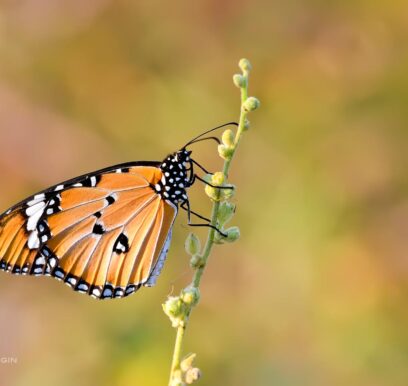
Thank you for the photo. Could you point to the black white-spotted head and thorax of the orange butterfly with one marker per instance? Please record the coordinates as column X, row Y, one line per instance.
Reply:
column 176, row 177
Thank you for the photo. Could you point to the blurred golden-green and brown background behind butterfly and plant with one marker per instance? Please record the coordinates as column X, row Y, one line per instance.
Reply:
column 315, row 292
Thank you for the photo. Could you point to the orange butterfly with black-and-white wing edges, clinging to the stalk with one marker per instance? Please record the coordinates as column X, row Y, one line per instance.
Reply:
column 105, row 233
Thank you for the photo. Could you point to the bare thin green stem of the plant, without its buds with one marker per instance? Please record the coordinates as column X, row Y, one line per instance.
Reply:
column 211, row 234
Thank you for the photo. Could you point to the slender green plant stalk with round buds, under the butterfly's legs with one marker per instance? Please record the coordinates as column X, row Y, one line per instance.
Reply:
column 179, row 308
